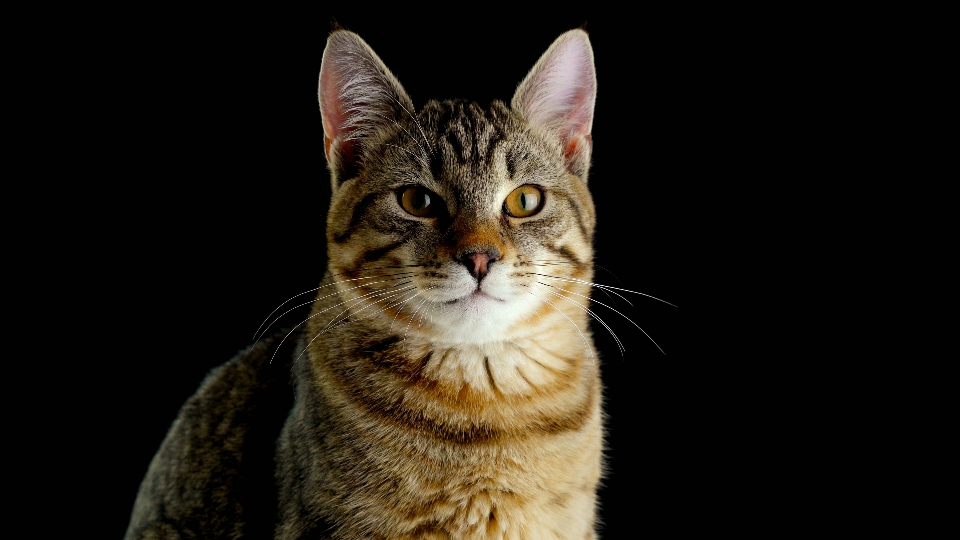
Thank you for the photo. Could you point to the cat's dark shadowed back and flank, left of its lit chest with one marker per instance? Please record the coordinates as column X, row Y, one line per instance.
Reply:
column 213, row 474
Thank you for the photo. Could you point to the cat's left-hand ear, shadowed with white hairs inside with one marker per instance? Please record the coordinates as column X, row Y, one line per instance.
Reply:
column 358, row 97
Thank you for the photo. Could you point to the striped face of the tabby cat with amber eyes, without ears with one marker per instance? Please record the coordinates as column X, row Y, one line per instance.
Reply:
column 464, row 217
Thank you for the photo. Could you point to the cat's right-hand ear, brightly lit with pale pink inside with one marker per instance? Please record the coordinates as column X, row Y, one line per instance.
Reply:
column 559, row 94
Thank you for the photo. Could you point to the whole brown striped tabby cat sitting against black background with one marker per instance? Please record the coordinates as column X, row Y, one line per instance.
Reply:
column 445, row 384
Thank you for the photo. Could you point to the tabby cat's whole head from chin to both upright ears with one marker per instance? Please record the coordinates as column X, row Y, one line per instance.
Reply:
column 462, row 222
